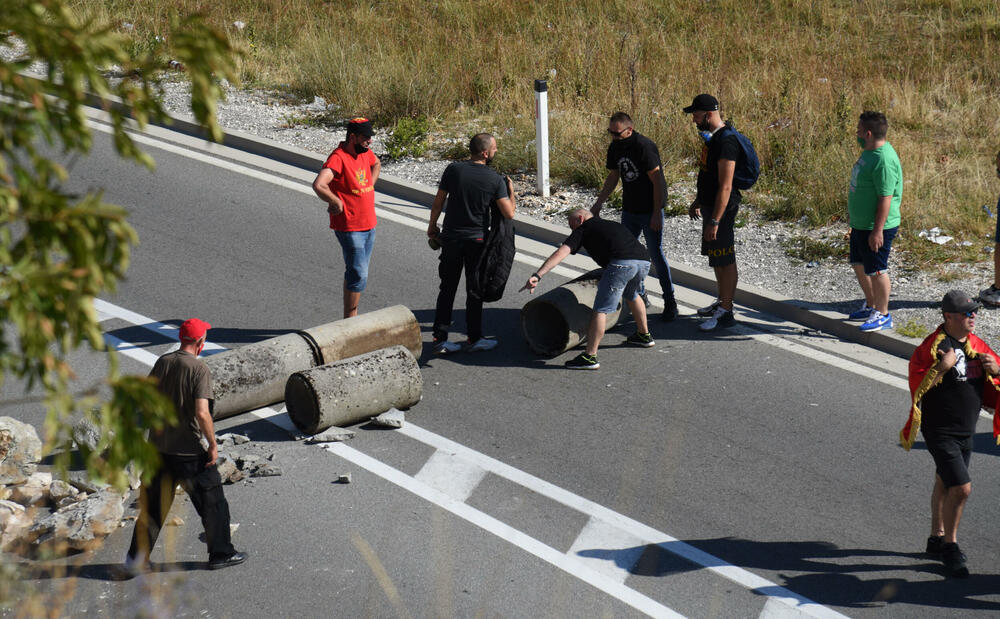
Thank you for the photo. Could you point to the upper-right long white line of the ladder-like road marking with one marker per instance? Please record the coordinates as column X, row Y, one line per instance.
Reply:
column 647, row 534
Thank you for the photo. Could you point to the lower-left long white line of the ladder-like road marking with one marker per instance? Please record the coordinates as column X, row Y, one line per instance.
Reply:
column 571, row 566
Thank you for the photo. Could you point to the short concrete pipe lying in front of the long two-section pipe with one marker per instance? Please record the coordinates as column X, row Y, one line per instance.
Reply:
column 353, row 390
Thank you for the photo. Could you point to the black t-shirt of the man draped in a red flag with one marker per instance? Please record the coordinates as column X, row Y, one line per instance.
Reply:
column 952, row 407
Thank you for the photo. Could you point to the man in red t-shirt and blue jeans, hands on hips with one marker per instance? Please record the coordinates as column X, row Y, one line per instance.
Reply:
column 347, row 185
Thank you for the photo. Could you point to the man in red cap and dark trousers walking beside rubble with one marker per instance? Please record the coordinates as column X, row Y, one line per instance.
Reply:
column 188, row 453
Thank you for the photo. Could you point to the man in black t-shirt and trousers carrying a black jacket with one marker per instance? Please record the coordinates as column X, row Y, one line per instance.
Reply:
column 470, row 187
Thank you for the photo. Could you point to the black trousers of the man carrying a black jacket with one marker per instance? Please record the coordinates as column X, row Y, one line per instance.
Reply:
column 457, row 255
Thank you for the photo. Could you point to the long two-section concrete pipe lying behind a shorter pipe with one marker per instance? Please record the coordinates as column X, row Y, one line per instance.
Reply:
column 254, row 376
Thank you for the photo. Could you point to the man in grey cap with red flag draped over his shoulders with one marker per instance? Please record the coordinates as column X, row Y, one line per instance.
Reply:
column 955, row 365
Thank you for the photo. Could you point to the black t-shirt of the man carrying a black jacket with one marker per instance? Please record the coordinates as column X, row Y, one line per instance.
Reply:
column 472, row 188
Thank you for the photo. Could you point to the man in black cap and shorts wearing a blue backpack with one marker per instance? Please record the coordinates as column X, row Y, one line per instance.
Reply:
column 717, row 202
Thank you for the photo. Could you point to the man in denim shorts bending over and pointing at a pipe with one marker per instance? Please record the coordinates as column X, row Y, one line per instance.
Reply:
column 626, row 264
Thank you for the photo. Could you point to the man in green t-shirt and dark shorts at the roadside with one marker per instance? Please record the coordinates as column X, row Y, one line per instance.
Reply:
column 873, row 213
